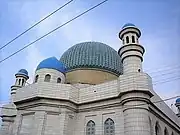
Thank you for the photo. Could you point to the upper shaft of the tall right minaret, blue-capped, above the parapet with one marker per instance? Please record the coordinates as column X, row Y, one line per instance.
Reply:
column 131, row 51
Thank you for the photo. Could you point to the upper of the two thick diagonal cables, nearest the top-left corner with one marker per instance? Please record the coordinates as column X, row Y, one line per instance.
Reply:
column 35, row 24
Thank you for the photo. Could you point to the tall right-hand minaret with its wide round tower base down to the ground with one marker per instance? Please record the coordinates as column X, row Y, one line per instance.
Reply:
column 137, row 85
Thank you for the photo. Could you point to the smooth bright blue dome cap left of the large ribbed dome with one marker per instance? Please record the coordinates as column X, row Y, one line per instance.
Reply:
column 52, row 63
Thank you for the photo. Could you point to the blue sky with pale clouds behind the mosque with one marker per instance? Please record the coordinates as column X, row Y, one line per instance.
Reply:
column 158, row 20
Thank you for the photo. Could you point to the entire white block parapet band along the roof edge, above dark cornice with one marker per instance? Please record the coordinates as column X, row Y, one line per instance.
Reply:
column 96, row 92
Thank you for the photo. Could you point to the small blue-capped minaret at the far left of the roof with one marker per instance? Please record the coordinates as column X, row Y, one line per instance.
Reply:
column 21, row 78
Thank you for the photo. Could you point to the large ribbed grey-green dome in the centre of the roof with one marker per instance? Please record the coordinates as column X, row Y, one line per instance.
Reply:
column 92, row 55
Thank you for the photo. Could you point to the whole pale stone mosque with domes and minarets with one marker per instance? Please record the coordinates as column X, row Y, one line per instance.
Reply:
column 92, row 90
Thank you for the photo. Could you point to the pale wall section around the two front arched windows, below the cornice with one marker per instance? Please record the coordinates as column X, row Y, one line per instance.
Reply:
column 99, row 117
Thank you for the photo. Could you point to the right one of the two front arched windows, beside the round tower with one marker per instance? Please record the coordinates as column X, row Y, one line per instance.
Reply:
column 109, row 128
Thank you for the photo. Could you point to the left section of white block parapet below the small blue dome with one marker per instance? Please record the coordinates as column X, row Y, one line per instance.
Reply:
column 49, row 90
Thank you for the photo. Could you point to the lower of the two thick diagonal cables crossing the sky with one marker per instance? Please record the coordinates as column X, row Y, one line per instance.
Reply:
column 53, row 30
